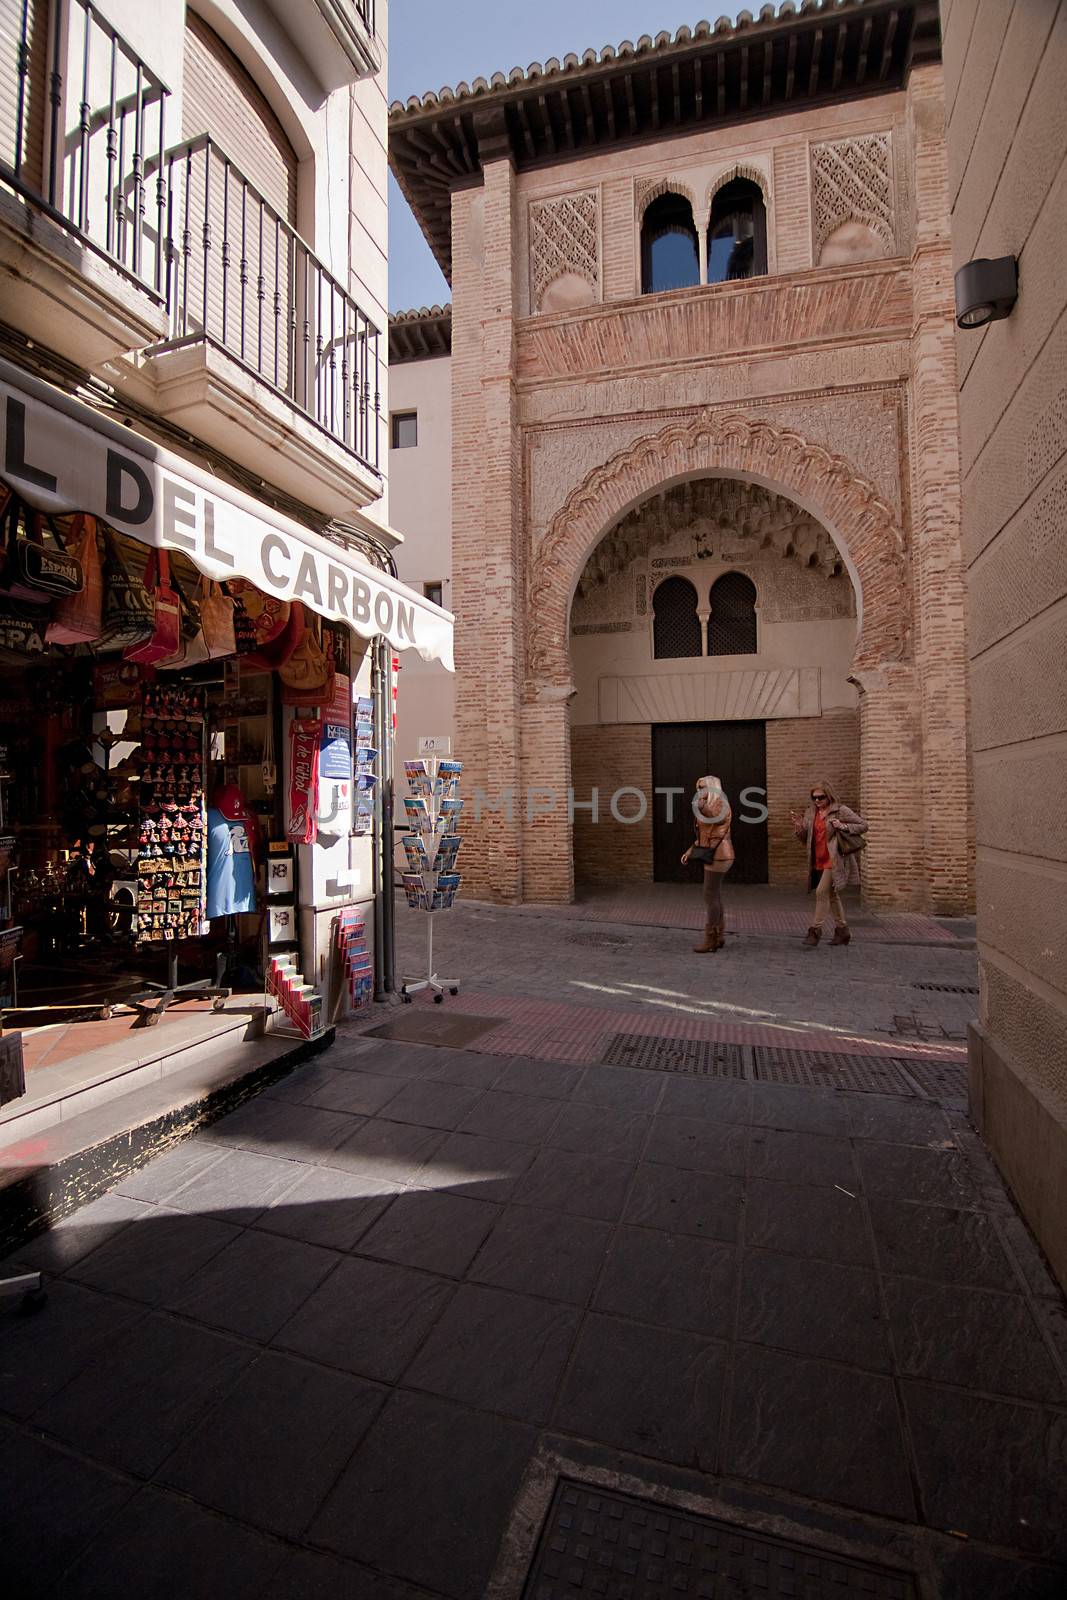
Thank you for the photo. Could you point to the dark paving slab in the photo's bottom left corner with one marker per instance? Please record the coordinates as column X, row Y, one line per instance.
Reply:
column 54, row 1508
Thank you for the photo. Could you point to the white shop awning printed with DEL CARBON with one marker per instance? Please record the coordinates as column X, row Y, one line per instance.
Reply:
column 63, row 455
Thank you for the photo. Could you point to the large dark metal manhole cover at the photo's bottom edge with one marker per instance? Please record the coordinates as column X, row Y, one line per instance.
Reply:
column 597, row 1543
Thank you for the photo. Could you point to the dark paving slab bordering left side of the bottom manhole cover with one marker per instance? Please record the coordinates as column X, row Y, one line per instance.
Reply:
column 428, row 1494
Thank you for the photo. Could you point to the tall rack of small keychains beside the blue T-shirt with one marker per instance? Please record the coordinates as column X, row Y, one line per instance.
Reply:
column 172, row 846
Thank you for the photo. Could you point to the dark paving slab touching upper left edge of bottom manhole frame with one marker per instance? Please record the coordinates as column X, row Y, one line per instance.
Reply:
column 652, row 1391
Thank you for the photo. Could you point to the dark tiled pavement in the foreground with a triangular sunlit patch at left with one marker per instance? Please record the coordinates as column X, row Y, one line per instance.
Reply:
column 321, row 1350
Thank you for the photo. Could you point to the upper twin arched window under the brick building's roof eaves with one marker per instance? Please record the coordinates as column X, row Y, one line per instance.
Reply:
column 674, row 257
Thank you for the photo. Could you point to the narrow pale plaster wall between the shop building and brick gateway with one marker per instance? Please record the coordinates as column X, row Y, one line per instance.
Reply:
column 422, row 479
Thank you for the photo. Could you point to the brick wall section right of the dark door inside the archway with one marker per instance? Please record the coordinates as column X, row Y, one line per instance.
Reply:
column 801, row 753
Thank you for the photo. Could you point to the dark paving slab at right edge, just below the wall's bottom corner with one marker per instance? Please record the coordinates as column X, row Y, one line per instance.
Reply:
column 973, row 1338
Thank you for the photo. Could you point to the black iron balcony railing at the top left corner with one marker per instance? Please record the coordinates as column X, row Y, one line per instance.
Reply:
column 82, row 150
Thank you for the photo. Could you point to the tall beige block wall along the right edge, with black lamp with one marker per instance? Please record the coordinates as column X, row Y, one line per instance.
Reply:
column 1007, row 143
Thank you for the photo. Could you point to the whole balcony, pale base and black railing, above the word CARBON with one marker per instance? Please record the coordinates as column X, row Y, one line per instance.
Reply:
column 266, row 356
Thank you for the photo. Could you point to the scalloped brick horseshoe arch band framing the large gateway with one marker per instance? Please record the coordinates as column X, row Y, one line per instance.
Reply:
column 729, row 444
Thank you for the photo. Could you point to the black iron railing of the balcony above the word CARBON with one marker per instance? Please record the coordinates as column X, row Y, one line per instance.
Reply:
column 241, row 278
